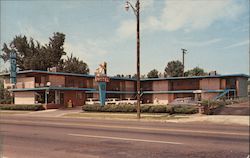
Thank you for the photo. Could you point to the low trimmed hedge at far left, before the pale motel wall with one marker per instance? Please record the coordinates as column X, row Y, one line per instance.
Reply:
column 22, row 107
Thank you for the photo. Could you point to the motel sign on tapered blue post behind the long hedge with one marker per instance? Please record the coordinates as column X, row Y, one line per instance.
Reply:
column 102, row 79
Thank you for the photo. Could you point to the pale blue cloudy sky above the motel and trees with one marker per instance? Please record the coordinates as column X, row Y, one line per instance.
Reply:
column 214, row 32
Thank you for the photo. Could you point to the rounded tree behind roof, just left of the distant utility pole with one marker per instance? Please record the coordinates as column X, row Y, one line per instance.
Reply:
column 174, row 69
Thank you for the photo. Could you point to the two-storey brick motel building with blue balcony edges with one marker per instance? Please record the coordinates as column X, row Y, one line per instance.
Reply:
column 57, row 89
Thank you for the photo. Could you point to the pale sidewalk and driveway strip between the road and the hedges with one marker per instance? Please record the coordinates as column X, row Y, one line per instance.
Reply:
column 77, row 113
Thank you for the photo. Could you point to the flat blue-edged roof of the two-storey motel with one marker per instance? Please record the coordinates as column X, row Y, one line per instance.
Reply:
column 126, row 78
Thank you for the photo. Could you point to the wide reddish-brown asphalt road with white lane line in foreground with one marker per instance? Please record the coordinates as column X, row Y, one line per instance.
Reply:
column 44, row 137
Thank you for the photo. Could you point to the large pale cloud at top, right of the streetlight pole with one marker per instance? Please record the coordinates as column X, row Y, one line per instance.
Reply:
column 191, row 14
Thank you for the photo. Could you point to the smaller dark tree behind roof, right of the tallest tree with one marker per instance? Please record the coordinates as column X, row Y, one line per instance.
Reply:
column 73, row 65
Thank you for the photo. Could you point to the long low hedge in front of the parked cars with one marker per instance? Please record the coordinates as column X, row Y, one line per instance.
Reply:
column 179, row 109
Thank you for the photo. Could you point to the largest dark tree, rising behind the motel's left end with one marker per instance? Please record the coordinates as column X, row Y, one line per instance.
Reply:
column 31, row 55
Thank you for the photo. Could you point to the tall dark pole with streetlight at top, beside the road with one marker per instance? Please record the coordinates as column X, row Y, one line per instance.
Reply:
column 136, row 10
